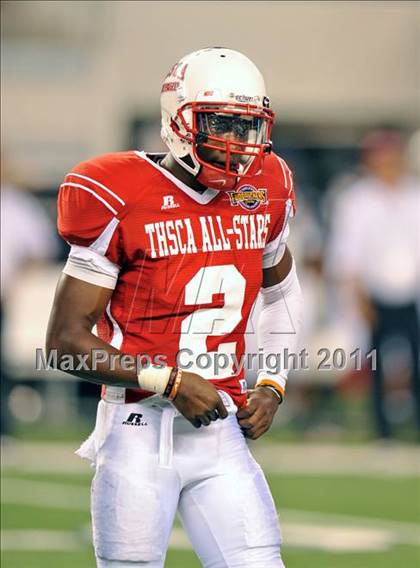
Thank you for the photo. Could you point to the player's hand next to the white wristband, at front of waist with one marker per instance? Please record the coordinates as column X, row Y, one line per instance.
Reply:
column 198, row 400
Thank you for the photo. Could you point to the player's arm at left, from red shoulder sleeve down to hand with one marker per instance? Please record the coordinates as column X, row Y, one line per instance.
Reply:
column 88, row 221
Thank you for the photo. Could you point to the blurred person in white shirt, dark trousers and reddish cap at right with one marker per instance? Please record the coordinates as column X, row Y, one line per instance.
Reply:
column 374, row 260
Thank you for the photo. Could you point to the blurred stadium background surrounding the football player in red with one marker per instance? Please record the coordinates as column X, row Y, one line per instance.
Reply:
column 83, row 78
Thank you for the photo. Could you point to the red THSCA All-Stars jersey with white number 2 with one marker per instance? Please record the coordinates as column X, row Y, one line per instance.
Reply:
column 188, row 264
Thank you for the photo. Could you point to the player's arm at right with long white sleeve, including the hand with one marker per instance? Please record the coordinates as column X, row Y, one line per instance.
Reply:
column 278, row 327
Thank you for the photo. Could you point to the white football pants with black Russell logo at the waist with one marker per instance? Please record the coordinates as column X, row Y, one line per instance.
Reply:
column 150, row 462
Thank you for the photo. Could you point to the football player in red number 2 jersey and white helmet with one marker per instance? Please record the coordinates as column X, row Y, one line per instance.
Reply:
column 168, row 254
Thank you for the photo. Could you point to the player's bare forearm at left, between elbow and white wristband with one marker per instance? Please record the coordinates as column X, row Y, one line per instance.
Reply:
column 94, row 360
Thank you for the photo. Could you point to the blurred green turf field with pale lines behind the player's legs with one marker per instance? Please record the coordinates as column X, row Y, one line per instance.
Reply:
column 329, row 521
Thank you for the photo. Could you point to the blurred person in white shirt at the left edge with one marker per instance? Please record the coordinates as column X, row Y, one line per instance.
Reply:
column 27, row 236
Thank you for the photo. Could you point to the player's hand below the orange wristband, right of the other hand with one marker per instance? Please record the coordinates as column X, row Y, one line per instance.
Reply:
column 256, row 417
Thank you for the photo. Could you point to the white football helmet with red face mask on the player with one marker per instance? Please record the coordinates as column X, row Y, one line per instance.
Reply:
column 216, row 119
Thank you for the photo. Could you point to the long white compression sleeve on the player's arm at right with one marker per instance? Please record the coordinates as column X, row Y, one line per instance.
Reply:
column 278, row 327
